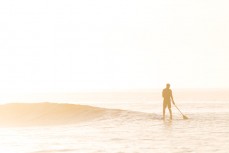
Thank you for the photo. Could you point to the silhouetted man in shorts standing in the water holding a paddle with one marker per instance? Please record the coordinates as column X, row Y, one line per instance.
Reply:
column 168, row 96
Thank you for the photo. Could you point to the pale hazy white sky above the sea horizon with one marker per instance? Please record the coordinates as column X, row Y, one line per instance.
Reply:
column 80, row 45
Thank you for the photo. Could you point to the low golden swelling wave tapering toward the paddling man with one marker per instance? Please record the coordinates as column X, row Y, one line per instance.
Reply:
column 36, row 114
